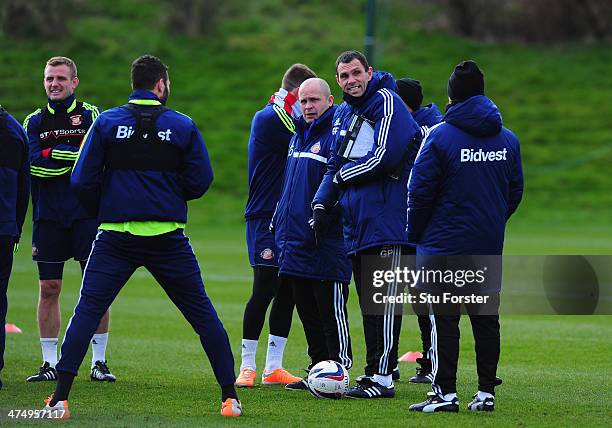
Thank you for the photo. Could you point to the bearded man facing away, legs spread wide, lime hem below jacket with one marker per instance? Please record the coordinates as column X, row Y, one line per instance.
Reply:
column 139, row 165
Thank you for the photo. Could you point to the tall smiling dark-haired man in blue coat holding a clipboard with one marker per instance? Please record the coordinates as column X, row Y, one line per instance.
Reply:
column 367, row 175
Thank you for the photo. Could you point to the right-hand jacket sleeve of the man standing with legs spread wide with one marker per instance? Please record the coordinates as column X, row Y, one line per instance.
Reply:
column 196, row 174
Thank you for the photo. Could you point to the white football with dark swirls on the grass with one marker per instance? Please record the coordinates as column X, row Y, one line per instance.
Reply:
column 328, row 379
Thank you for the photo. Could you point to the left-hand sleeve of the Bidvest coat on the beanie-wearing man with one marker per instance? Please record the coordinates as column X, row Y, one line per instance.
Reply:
column 423, row 186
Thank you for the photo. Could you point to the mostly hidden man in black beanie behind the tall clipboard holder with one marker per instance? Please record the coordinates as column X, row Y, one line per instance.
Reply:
column 411, row 92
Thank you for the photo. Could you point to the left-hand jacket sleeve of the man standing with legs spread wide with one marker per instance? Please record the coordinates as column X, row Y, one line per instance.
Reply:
column 87, row 175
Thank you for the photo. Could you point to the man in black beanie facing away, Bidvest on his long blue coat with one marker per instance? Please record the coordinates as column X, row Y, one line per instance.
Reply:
column 466, row 182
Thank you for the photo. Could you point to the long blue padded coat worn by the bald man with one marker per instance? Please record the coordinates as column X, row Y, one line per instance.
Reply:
column 306, row 166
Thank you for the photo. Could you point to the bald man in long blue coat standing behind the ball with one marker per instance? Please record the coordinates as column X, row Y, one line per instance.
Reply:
column 317, row 270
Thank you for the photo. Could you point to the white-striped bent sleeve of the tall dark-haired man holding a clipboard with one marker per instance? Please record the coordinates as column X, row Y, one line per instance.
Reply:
column 394, row 131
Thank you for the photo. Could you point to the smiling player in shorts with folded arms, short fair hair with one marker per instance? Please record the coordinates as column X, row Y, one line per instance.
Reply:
column 63, row 228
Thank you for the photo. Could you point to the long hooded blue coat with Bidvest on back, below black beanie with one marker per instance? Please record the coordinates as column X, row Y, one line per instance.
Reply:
column 466, row 182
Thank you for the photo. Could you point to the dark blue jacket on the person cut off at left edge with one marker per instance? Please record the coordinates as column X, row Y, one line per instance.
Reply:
column 14, row 175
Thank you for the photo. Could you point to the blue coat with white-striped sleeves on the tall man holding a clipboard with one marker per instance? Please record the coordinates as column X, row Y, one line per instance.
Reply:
column 373, row 203
